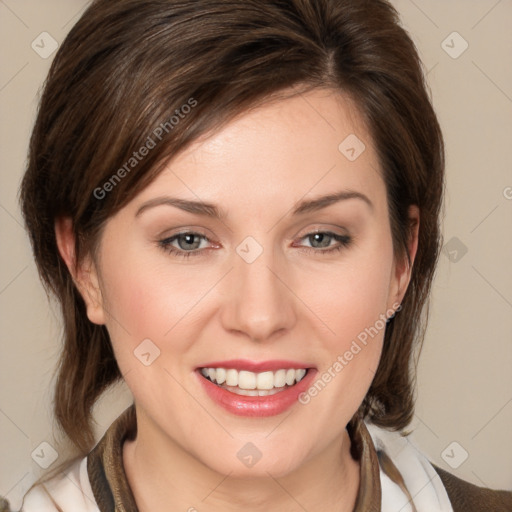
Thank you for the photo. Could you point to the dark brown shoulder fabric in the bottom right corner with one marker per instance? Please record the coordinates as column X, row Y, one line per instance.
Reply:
column 467, row 497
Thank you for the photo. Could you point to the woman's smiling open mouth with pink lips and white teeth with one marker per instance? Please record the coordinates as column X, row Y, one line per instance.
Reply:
column 247, row 388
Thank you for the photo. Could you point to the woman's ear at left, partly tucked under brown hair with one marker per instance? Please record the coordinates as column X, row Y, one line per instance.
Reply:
column 84, row 274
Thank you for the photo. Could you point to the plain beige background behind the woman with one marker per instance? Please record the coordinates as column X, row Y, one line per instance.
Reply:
column 465, row 377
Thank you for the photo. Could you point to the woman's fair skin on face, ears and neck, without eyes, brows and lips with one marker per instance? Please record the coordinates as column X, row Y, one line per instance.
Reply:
column 287, row 304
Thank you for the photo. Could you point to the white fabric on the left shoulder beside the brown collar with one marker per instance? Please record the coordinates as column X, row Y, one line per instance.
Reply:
column 70, row 491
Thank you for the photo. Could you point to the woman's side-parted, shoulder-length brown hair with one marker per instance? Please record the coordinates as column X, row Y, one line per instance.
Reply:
column 128, row 66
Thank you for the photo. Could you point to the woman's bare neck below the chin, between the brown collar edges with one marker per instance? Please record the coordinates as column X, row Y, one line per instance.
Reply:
column 163, row 476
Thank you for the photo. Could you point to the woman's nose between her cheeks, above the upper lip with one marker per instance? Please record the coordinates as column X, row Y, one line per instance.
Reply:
column 260, row 304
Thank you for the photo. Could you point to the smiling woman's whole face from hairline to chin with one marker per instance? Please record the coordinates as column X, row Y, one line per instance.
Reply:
column 254, row 291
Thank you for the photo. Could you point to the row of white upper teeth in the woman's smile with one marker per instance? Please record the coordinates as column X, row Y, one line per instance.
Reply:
column 249, row 380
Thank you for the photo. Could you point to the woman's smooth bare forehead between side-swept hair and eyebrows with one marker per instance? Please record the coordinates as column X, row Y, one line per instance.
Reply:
column 305, row 145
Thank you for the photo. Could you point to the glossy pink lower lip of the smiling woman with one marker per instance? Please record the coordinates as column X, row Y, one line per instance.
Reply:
column 256, row 406
